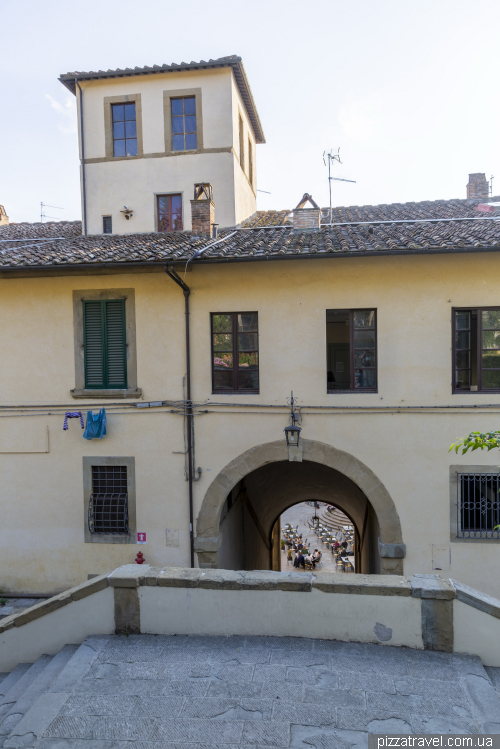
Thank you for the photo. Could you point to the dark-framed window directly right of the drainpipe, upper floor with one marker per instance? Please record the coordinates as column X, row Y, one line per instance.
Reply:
column 235, row 357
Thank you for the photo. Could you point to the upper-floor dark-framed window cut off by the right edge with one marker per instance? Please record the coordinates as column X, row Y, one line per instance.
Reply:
column 476, row 342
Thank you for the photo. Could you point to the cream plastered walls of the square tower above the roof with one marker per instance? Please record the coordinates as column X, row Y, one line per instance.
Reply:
column 134, row 181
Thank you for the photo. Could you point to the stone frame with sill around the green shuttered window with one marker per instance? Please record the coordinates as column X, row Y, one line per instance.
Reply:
column 79, row 391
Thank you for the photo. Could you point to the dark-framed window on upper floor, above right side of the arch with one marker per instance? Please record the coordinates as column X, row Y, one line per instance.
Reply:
column 351, row 341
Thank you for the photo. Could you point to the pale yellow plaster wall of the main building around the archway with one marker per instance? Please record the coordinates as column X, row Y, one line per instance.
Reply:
column 42, row 531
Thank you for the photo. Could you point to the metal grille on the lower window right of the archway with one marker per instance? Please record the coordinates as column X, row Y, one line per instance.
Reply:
column 478, row 505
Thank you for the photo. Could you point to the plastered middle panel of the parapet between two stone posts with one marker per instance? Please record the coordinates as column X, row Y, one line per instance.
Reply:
column 279, row 613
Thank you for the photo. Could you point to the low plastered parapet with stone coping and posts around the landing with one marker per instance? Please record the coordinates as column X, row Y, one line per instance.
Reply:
column 424, row 611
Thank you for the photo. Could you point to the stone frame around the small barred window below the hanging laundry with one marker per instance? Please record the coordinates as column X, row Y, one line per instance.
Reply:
column 110, row 538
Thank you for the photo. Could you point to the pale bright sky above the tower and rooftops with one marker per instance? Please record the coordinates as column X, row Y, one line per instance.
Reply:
column 408, row 90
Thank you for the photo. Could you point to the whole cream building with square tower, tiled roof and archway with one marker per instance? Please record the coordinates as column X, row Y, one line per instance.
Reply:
column 383, row 320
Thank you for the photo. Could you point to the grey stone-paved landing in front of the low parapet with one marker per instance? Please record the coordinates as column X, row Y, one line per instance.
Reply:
column 194, row 692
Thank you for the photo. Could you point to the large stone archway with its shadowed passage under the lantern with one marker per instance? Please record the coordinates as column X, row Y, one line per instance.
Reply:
column 261, row 483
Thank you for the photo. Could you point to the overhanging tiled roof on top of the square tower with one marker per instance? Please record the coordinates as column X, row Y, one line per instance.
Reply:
column 232, row 61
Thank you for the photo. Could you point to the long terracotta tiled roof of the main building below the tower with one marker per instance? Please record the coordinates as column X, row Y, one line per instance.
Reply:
column 258, row 242
